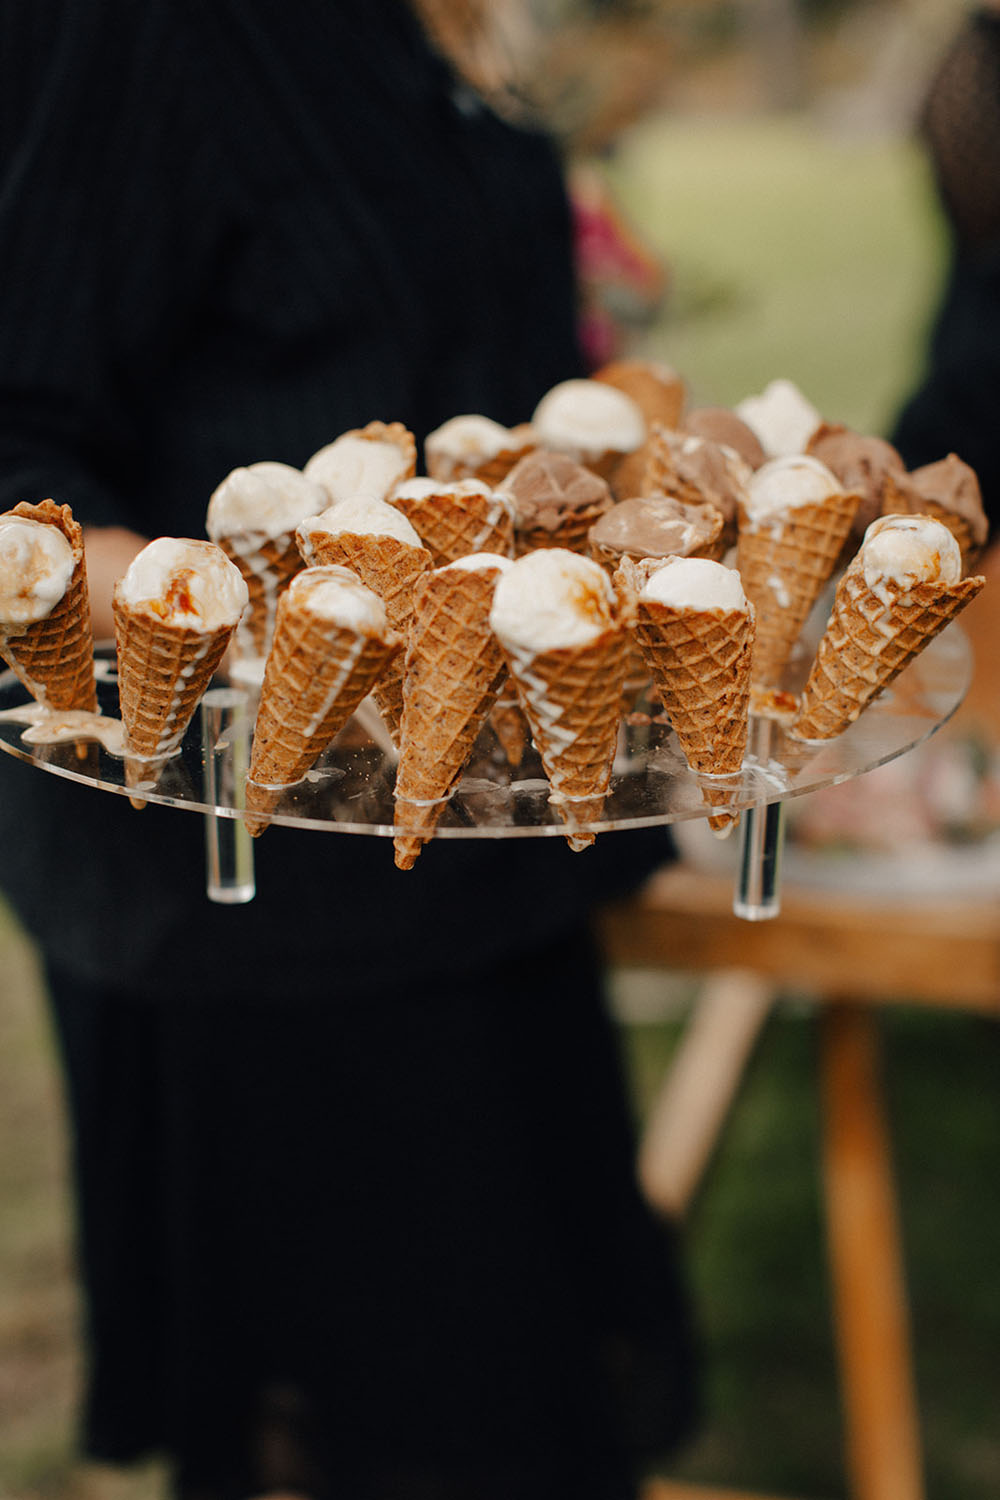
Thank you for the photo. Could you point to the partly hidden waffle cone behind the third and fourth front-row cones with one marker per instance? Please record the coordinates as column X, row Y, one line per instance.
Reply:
column 391, row 568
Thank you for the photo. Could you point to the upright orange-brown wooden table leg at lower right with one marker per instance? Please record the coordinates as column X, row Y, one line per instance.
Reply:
column 870, row 1307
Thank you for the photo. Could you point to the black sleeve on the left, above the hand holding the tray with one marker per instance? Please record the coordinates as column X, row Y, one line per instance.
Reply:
column 106, row 235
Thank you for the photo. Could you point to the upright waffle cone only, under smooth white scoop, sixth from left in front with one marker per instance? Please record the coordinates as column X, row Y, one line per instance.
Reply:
column 701, row 665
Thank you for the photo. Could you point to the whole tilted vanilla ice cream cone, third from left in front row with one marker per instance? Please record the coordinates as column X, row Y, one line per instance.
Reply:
column 319, row 671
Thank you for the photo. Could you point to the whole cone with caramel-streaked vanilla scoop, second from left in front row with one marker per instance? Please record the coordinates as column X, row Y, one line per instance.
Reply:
column 170, row 641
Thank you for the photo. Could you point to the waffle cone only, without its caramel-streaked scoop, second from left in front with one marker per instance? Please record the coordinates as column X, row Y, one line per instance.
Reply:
column 163, row 674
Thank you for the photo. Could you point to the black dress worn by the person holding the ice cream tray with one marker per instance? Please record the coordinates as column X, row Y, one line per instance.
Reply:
column 358, row 1156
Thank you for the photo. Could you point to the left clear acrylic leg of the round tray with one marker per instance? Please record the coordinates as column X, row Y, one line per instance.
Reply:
column 226, row 725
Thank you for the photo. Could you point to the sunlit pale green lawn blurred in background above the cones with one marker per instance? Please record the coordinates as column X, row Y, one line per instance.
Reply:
column 792, row 251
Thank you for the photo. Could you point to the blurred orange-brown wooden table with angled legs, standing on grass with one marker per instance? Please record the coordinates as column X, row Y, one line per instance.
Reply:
column 854, row 955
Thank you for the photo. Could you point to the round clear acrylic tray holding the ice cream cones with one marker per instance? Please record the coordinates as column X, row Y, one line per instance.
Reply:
column 350, row 790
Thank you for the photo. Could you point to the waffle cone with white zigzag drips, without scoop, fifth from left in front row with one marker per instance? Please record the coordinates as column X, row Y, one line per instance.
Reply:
column 572, row 701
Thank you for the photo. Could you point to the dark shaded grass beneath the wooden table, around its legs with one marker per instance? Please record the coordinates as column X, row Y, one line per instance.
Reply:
column 759, row 1273
